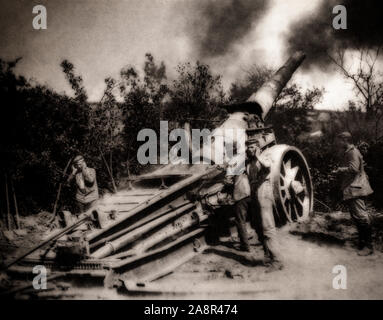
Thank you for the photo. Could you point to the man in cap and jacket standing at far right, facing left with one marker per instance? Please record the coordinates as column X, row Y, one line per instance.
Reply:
column 355, row 186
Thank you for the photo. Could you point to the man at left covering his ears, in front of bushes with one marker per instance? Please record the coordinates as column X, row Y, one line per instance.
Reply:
column 86, row 184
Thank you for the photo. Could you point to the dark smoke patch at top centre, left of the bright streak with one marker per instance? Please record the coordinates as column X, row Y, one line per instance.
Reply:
column 221, row 23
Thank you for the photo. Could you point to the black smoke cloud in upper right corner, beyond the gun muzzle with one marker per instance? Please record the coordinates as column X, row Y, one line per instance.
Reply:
column 317, row 37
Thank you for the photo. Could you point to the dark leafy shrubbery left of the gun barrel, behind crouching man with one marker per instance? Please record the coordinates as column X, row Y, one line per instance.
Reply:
column 41, row 130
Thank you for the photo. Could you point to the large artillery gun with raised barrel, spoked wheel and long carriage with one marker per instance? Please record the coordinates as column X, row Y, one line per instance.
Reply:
column 162, row 220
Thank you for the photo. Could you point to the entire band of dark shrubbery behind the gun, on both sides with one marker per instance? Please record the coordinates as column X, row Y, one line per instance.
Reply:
column 42, row 130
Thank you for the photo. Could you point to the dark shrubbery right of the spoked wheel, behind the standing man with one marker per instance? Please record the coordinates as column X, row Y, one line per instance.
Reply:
column 323, row 156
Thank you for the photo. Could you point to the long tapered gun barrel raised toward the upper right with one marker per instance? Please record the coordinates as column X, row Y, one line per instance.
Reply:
column 265, row 96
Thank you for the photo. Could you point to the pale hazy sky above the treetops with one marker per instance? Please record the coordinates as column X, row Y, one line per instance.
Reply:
column 101, row 37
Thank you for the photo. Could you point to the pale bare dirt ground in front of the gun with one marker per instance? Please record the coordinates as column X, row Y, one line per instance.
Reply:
column 310, row 251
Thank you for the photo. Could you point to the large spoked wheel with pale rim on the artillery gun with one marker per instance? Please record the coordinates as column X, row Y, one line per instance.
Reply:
column 291, row 181
